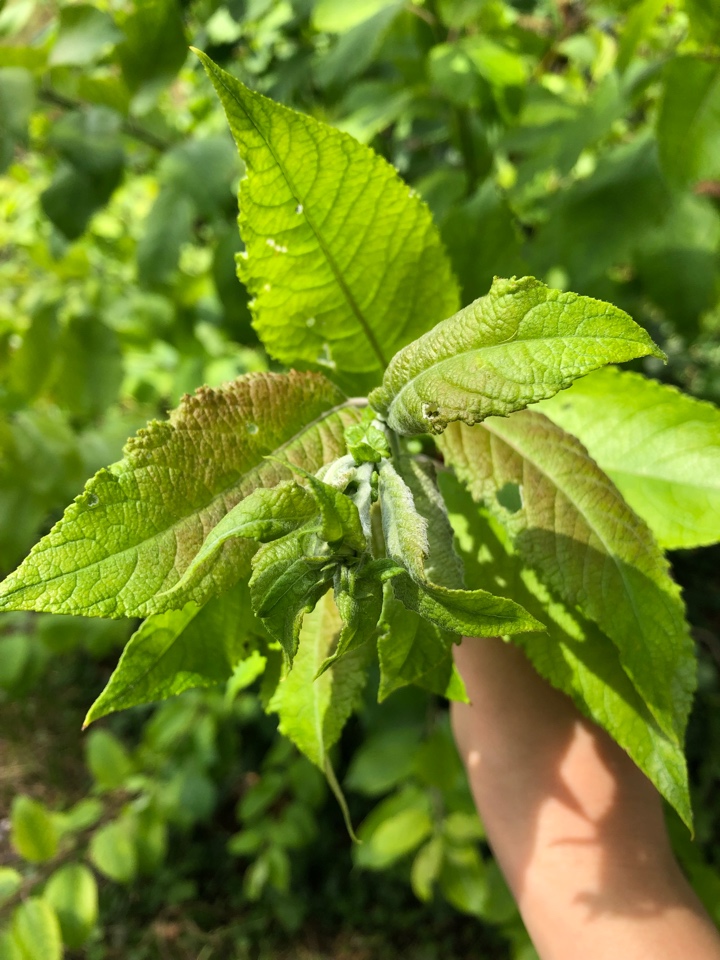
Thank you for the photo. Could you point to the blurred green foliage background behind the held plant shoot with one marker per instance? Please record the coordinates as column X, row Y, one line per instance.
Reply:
column 577, row 141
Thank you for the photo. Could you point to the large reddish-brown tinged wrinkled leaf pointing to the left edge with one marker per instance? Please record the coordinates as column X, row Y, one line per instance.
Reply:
column 134, row 531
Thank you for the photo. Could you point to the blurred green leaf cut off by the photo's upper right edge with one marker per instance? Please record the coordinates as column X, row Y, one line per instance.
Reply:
column 688, row 125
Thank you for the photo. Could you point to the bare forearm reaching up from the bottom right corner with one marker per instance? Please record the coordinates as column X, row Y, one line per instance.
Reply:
column 576, row 828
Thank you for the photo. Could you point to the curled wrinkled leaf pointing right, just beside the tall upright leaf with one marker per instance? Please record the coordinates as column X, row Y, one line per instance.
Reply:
column 519, row 344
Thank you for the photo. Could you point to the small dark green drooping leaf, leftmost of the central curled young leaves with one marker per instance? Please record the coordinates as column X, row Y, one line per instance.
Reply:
column 288, row 579
